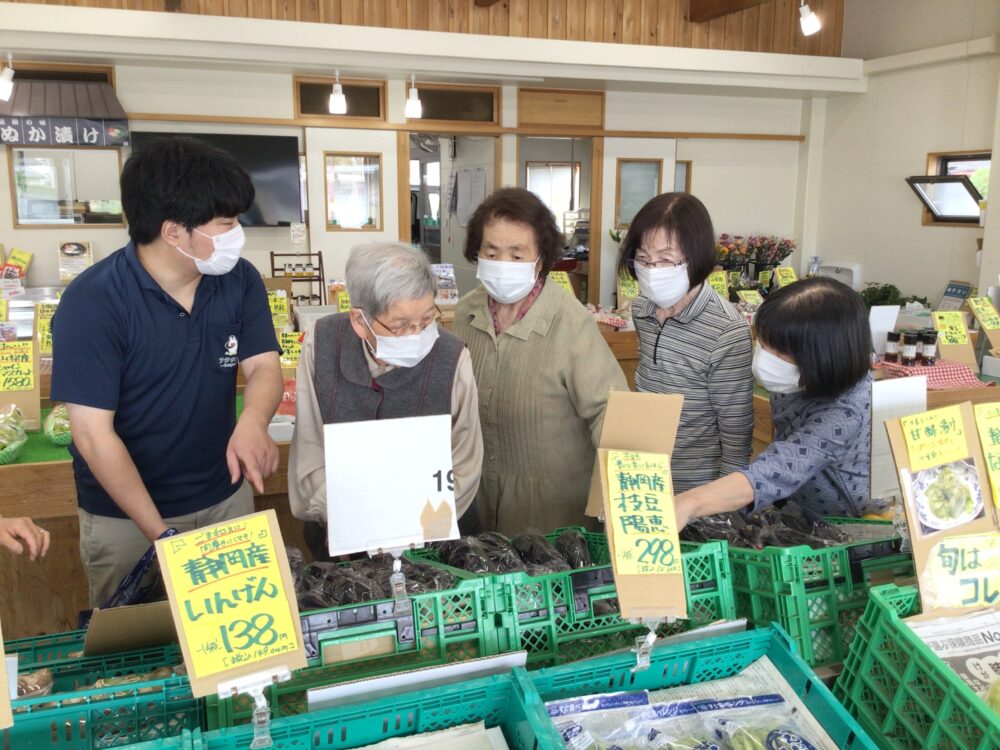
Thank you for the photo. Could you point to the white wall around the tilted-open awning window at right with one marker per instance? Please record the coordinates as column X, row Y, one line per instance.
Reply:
column 868, row 214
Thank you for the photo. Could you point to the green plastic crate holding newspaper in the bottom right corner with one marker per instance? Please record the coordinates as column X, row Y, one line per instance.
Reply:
column 901, row 692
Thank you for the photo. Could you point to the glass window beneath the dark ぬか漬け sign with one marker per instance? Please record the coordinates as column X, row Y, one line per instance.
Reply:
column 66, row 186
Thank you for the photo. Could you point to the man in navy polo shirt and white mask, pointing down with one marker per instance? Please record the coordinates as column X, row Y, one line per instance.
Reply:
column 146, row 348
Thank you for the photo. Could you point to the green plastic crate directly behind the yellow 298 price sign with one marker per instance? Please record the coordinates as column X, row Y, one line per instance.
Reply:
column 553, row 616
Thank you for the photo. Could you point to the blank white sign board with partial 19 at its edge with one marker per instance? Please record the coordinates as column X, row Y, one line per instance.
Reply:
column 389, row 484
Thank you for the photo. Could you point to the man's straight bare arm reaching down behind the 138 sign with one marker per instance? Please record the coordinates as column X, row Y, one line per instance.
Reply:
column 109, row 460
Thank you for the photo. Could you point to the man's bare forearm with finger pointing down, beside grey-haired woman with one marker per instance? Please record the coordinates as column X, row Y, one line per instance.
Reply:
column 251, row 450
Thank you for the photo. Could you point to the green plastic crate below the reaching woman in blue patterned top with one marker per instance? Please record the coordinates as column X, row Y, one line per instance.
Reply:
column 817, row 595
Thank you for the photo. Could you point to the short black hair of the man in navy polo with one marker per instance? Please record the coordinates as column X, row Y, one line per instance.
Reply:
column 184, row 180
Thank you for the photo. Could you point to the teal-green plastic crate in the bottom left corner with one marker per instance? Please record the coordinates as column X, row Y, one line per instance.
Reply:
column 104, row 718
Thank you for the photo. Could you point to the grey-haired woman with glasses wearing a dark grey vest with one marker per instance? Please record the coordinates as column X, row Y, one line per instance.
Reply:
column 384, row 359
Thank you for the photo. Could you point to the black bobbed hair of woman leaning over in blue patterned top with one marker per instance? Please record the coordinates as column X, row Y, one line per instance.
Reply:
column 823, row 325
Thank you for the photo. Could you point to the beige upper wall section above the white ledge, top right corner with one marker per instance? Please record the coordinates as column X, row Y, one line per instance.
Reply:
column 878, row 28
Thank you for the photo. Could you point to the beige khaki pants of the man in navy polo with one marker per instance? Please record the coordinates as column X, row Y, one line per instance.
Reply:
column 110, row 547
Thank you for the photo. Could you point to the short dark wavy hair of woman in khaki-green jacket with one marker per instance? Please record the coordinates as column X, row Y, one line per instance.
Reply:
column 522, row 207
